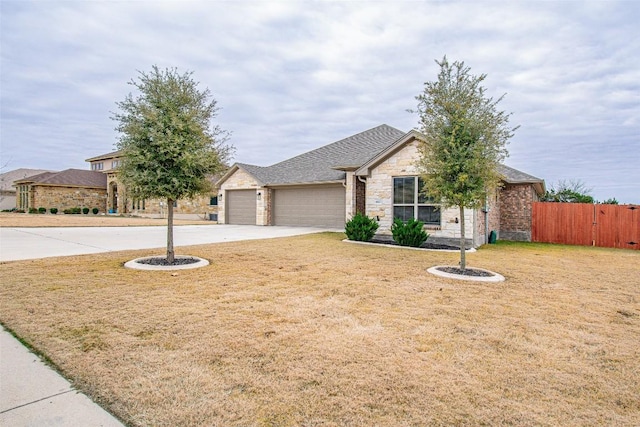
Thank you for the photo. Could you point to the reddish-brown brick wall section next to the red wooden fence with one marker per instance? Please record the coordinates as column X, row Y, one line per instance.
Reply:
column 516, row 204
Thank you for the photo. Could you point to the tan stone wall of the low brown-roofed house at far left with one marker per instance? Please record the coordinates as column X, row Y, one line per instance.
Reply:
column 68, row 197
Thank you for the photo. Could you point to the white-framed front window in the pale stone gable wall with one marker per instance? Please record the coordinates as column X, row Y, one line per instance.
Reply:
column 410, row 203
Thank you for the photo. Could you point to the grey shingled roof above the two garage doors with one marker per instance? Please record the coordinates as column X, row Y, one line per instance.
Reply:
column 327, row 163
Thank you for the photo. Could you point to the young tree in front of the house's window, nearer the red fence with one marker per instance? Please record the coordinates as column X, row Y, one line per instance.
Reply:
column 465, row 139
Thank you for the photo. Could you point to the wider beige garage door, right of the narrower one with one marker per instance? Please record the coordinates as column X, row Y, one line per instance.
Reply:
column 321, row 206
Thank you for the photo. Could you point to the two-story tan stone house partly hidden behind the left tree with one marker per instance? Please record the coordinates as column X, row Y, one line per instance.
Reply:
column 117, row 201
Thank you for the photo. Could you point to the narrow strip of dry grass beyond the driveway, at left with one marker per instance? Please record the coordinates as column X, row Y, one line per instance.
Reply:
column 8, row 219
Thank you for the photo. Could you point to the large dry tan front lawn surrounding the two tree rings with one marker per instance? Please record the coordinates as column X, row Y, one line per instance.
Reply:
column 312, row 331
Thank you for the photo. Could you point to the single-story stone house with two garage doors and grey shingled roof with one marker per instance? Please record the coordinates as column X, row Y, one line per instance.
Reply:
column 373, row 172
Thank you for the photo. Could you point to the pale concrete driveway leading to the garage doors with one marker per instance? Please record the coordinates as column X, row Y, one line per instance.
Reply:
column 33, row 243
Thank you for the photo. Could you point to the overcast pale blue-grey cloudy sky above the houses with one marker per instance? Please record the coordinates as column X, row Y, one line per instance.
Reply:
column 291, row 76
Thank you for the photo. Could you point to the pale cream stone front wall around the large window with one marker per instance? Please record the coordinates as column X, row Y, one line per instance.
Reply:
column 379, row 198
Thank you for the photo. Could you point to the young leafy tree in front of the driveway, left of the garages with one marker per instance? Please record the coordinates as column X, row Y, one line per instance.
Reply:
column 170, row 147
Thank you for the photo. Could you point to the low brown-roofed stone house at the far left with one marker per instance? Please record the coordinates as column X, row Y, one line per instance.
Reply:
column 71, row 188
